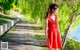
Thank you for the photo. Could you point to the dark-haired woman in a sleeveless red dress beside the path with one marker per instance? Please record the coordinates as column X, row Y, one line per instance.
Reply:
column 52, row 29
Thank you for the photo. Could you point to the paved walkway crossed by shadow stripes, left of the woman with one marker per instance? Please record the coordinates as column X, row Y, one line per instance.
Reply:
column 21, row 37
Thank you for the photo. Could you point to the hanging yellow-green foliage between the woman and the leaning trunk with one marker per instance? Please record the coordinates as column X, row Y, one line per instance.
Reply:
column 63, row 15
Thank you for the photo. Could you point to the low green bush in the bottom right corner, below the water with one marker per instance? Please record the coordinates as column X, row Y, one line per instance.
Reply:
column 72, row 45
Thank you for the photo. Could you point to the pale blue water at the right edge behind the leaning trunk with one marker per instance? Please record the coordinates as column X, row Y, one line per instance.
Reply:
column 75, row 34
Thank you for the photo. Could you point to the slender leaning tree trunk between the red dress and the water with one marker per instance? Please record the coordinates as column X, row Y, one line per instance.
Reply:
column 64, row 38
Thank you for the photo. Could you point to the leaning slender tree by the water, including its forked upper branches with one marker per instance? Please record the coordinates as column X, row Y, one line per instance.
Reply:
column 73, row 18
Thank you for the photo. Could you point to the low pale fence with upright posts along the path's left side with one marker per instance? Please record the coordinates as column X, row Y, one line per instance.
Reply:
column 6, row 26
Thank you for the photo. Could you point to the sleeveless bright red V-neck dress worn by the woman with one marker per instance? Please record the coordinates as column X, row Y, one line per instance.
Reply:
column 54, row 38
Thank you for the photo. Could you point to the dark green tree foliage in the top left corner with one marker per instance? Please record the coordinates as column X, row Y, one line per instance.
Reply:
column 6, row 5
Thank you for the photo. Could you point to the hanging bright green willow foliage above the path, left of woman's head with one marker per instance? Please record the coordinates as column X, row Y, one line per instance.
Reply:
column 36, row 8
